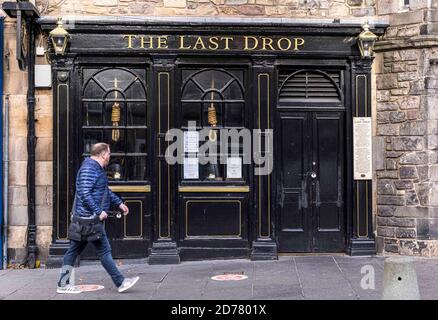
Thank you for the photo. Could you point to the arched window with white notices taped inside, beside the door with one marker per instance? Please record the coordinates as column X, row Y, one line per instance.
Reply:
column 213, row 99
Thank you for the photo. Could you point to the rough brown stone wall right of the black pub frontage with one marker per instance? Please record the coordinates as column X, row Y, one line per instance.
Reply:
column 407, row 197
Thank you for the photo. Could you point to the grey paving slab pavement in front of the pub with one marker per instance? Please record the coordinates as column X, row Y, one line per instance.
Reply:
column 324, row 277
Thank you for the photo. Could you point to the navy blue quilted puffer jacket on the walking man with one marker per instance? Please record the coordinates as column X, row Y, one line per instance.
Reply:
column 91, row 184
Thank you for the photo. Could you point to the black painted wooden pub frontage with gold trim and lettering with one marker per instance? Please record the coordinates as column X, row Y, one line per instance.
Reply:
column 306, row 82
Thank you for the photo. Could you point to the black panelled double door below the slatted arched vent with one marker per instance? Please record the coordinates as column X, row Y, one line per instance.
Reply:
column 310, row 181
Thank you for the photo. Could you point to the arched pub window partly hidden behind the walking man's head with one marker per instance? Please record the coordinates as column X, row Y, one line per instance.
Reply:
column 114, row 107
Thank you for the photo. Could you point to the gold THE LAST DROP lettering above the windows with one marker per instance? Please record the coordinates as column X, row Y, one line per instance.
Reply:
column 211, row 43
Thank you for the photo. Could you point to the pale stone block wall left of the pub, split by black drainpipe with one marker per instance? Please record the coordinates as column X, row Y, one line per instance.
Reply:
column 15, row 87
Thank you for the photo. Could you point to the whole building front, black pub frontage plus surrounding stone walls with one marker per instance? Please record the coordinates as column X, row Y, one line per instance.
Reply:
column 289, row 71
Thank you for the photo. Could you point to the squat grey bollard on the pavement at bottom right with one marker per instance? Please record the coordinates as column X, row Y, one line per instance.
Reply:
column 400, row 279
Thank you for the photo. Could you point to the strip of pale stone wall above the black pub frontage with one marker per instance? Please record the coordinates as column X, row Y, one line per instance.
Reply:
column 267, row 8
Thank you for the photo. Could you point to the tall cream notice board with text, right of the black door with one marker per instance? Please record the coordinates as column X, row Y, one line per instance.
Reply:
column 362, row 148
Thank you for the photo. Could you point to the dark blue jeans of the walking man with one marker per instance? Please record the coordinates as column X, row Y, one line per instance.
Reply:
column 103, row 249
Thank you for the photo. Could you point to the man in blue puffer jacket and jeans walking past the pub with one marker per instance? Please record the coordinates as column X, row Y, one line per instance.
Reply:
column 93, row 200
